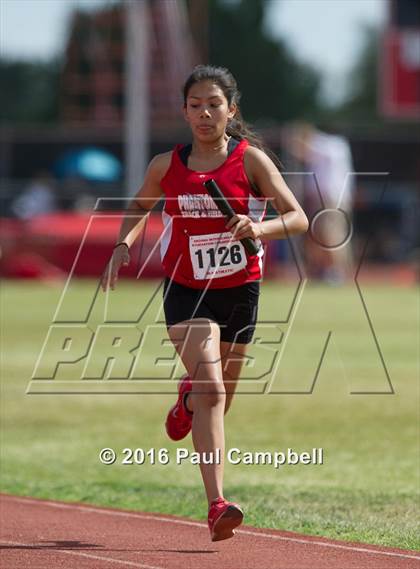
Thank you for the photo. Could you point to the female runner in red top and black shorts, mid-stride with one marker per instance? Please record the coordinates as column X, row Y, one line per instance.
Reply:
column 211, row 288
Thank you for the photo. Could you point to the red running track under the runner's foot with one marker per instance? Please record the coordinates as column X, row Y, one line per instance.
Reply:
column 40, row 534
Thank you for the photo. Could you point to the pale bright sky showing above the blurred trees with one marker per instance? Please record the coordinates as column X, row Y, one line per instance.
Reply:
column 325, row 33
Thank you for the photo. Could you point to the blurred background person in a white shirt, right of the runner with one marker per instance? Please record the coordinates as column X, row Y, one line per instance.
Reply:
column 328, row 191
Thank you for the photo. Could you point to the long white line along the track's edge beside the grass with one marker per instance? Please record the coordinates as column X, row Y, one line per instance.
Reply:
column 201, row 525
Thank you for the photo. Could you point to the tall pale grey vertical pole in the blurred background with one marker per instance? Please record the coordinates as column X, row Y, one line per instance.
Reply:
column 137, row 99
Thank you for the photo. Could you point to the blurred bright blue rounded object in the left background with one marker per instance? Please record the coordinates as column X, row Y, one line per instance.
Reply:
column 90, row 163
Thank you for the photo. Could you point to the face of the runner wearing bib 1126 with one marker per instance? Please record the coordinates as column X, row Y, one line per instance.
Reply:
column 207, row 111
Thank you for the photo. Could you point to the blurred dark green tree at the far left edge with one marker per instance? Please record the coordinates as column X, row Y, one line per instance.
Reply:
column 29, row 91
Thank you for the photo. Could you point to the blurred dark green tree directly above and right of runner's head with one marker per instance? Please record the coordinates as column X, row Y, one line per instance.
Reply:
column 275, row 85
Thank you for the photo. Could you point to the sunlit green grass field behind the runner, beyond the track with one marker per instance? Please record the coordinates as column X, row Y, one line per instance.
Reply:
column 368, row 487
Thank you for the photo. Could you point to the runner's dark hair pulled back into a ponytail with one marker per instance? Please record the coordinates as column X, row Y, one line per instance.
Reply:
column 236, row 127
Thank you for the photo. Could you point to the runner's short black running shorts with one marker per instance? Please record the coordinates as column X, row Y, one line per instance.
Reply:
column 235, row 309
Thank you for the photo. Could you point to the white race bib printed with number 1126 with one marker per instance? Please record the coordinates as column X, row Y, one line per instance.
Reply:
column 216, row 255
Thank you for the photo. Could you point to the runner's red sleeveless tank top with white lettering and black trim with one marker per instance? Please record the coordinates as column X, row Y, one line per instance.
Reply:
column 196, row 248
